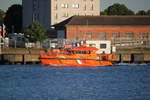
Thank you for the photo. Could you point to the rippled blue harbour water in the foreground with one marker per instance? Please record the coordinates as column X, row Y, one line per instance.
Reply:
column 35, row 82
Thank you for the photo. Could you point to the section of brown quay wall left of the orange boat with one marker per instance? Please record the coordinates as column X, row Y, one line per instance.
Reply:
column 19, row 56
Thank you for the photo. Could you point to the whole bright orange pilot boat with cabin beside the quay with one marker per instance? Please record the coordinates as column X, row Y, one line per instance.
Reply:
column 81, row 56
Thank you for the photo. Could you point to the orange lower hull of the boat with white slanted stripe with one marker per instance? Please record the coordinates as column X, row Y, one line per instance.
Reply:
column 74, row 62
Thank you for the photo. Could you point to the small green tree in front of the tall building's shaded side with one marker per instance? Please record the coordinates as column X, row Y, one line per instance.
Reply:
column 35, row 32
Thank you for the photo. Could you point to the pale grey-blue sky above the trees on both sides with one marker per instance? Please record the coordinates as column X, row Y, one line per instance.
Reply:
column 134, row 5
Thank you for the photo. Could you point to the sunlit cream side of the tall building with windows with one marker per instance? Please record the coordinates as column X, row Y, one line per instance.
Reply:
column 63, row 9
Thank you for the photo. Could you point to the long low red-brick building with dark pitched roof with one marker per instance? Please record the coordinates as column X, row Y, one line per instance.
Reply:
column 104, row 27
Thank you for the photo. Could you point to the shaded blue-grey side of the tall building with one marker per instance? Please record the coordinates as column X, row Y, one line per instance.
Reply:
column 36, row 11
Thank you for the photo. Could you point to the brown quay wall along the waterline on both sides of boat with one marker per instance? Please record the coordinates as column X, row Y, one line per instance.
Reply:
column 30, row 56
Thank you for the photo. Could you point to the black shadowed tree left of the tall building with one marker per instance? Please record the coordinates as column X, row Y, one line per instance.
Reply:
column 13, row 19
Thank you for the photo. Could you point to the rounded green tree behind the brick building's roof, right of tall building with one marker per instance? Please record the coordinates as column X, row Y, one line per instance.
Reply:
column 118, row 9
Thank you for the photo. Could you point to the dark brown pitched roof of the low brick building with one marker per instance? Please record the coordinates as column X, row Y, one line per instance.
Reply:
column 106, row 20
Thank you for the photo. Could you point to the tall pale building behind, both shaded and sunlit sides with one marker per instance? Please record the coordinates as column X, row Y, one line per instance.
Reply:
column 50, row 12
